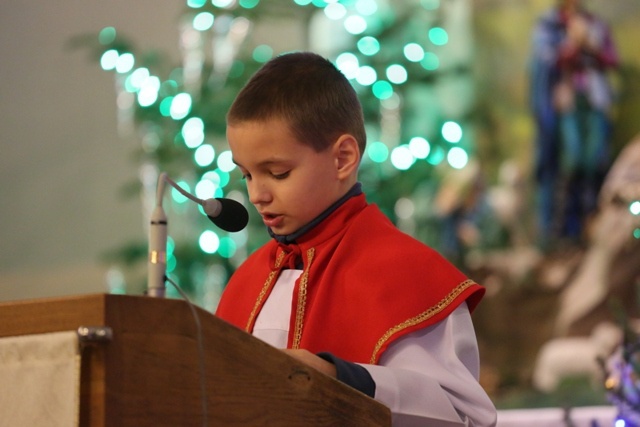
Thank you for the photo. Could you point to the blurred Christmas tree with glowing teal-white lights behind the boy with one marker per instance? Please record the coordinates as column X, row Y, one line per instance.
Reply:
column 409, row 61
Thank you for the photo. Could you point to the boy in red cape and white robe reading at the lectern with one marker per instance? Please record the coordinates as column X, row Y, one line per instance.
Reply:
column 338, row 285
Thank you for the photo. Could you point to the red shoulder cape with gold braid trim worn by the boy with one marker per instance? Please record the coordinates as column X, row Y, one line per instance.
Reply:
column 364, row 285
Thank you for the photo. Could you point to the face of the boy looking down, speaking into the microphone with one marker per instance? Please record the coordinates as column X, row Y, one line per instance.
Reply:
column 288, row 182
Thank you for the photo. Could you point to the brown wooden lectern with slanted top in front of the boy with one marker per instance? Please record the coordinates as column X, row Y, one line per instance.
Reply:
column 148, row 373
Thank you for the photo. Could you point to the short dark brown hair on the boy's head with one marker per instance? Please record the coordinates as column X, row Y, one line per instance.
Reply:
column 307, row 91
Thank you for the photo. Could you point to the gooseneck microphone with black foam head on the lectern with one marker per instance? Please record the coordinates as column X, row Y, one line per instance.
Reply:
column 228, row 214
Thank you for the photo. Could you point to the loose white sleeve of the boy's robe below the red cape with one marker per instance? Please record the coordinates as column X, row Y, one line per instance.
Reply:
column 430, row 377
